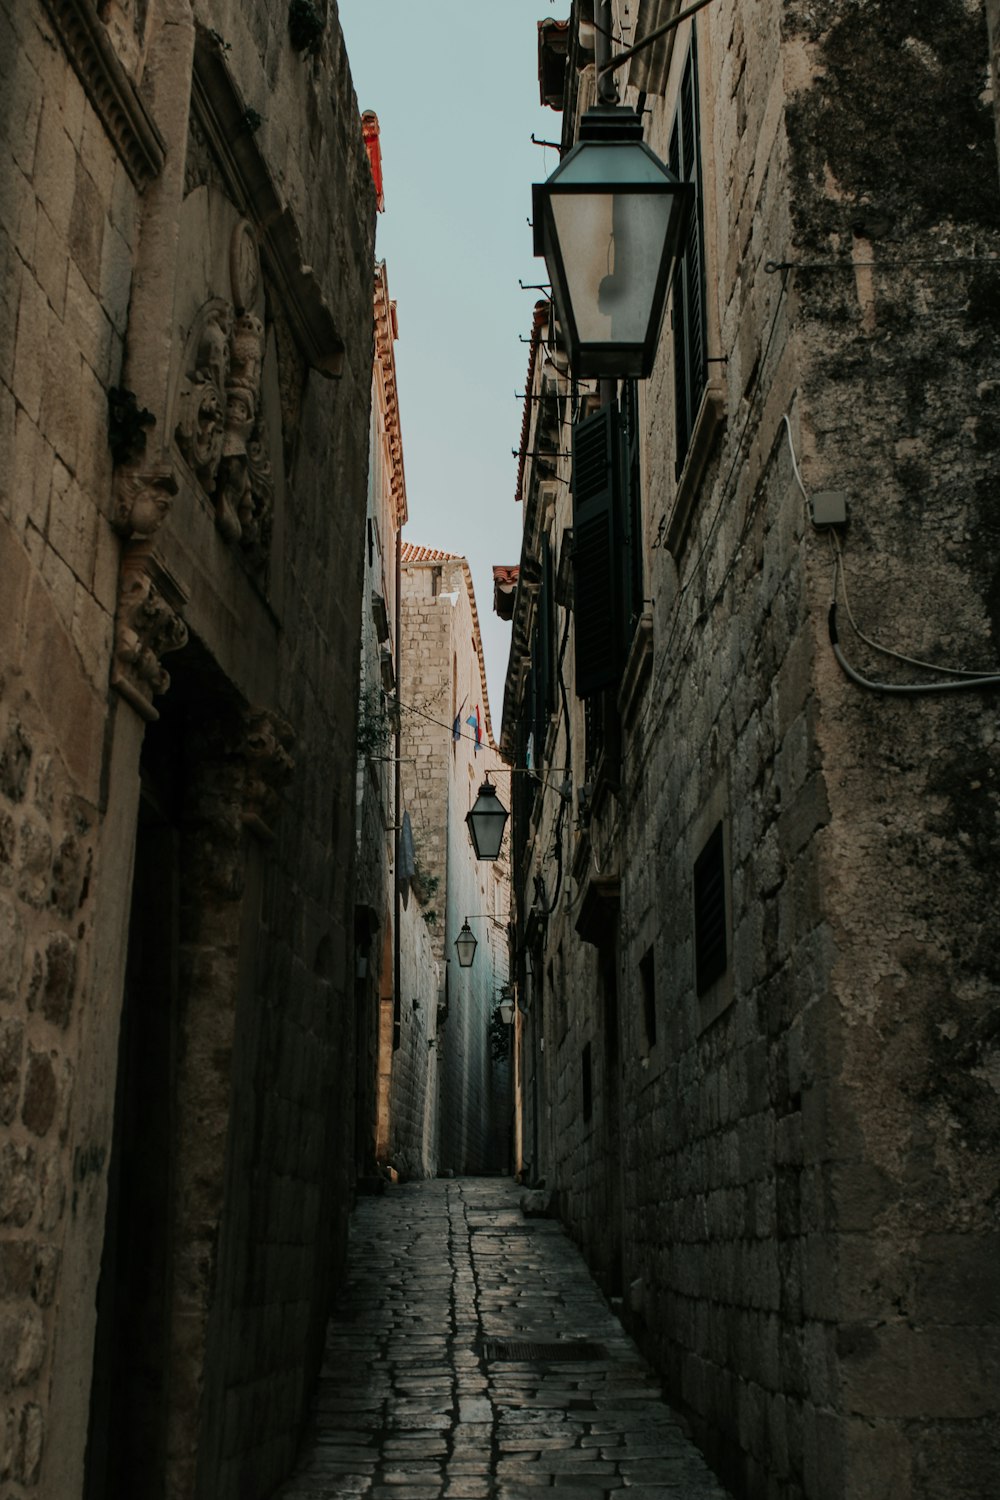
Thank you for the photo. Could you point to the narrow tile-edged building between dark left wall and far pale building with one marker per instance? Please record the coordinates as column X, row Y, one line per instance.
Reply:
column 397, row 976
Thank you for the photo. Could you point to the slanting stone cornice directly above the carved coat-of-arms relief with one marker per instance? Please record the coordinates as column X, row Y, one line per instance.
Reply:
column 223, row 115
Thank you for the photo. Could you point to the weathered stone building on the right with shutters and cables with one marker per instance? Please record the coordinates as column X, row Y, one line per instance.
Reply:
column 755, row 934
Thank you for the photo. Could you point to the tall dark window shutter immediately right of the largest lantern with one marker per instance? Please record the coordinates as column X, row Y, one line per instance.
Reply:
column 690, row 328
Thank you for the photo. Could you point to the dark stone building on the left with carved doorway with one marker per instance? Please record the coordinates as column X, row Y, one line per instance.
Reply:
column 187, row 251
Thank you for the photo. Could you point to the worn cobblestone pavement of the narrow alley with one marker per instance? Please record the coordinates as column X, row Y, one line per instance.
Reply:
column 418, row 1400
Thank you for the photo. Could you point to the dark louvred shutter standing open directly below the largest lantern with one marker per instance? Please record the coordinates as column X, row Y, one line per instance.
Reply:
column 596, row 583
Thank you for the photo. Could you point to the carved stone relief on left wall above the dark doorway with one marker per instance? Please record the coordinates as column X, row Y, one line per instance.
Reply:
column 220, row 421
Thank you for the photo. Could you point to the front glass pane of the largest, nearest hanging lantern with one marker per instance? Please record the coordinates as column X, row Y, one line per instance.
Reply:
column 612, row 247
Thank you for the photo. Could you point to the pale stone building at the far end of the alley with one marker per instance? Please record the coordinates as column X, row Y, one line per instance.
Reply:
column 448, row 752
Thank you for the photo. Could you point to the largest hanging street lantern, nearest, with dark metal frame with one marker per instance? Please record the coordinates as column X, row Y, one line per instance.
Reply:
column 611, row 223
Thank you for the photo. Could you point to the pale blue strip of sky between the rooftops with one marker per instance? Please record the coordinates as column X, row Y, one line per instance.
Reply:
column 457, row 91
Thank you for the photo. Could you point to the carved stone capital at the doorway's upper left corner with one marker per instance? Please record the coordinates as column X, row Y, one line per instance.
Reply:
column 148, row 626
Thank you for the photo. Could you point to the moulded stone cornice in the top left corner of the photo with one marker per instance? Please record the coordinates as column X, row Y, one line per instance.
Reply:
column 110, row 89
